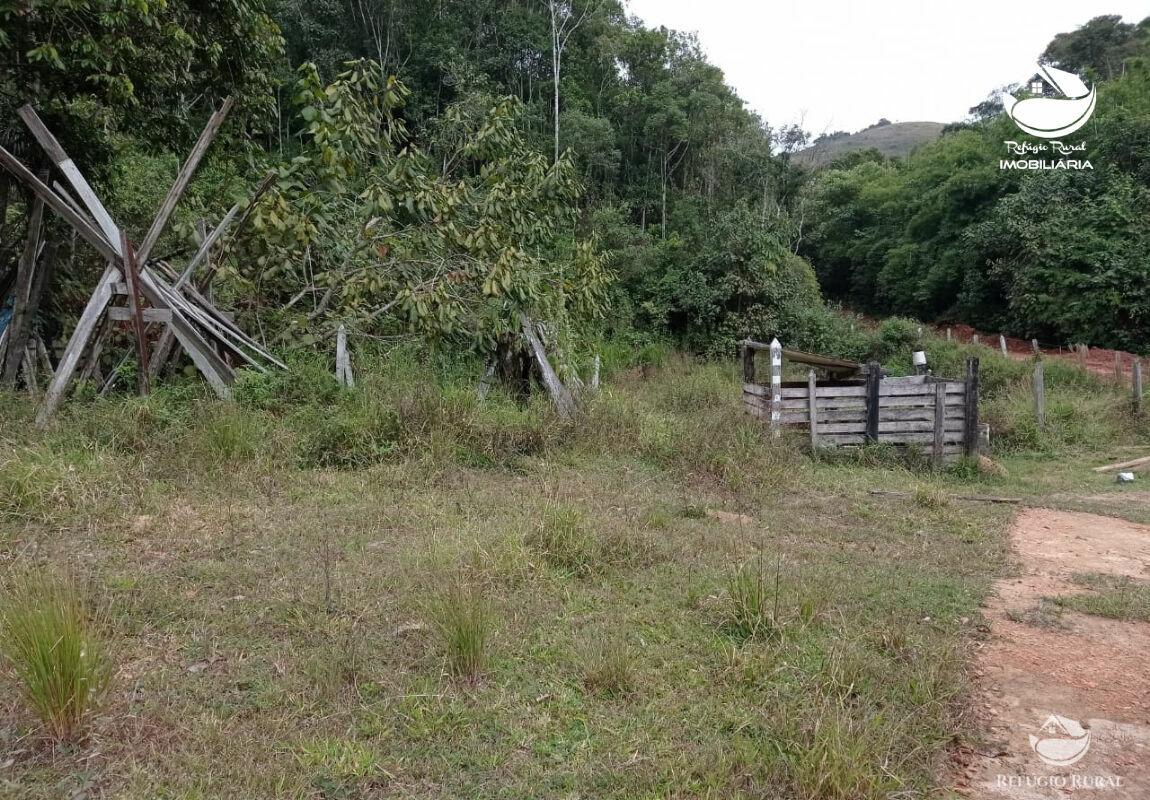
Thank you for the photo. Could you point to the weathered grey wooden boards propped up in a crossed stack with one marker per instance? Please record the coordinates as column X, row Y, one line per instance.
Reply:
column 175, row 305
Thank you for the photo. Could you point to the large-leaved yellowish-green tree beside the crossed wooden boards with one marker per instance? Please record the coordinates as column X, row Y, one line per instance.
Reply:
column 450, row 241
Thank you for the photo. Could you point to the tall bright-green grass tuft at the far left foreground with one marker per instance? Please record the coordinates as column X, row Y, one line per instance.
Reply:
column 53, row 649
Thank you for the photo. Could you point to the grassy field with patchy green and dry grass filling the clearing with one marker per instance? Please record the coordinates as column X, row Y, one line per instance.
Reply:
column 400, row 593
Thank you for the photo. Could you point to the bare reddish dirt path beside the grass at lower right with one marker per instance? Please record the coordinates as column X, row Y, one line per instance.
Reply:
column 1091, row 672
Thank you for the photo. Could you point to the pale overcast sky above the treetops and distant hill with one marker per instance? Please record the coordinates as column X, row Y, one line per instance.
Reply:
column 842, row 65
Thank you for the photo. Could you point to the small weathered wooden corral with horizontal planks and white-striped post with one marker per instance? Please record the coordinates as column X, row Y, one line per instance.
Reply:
column 939, row 416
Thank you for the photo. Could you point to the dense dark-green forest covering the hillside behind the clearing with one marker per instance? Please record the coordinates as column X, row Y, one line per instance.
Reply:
column 442, row 166
